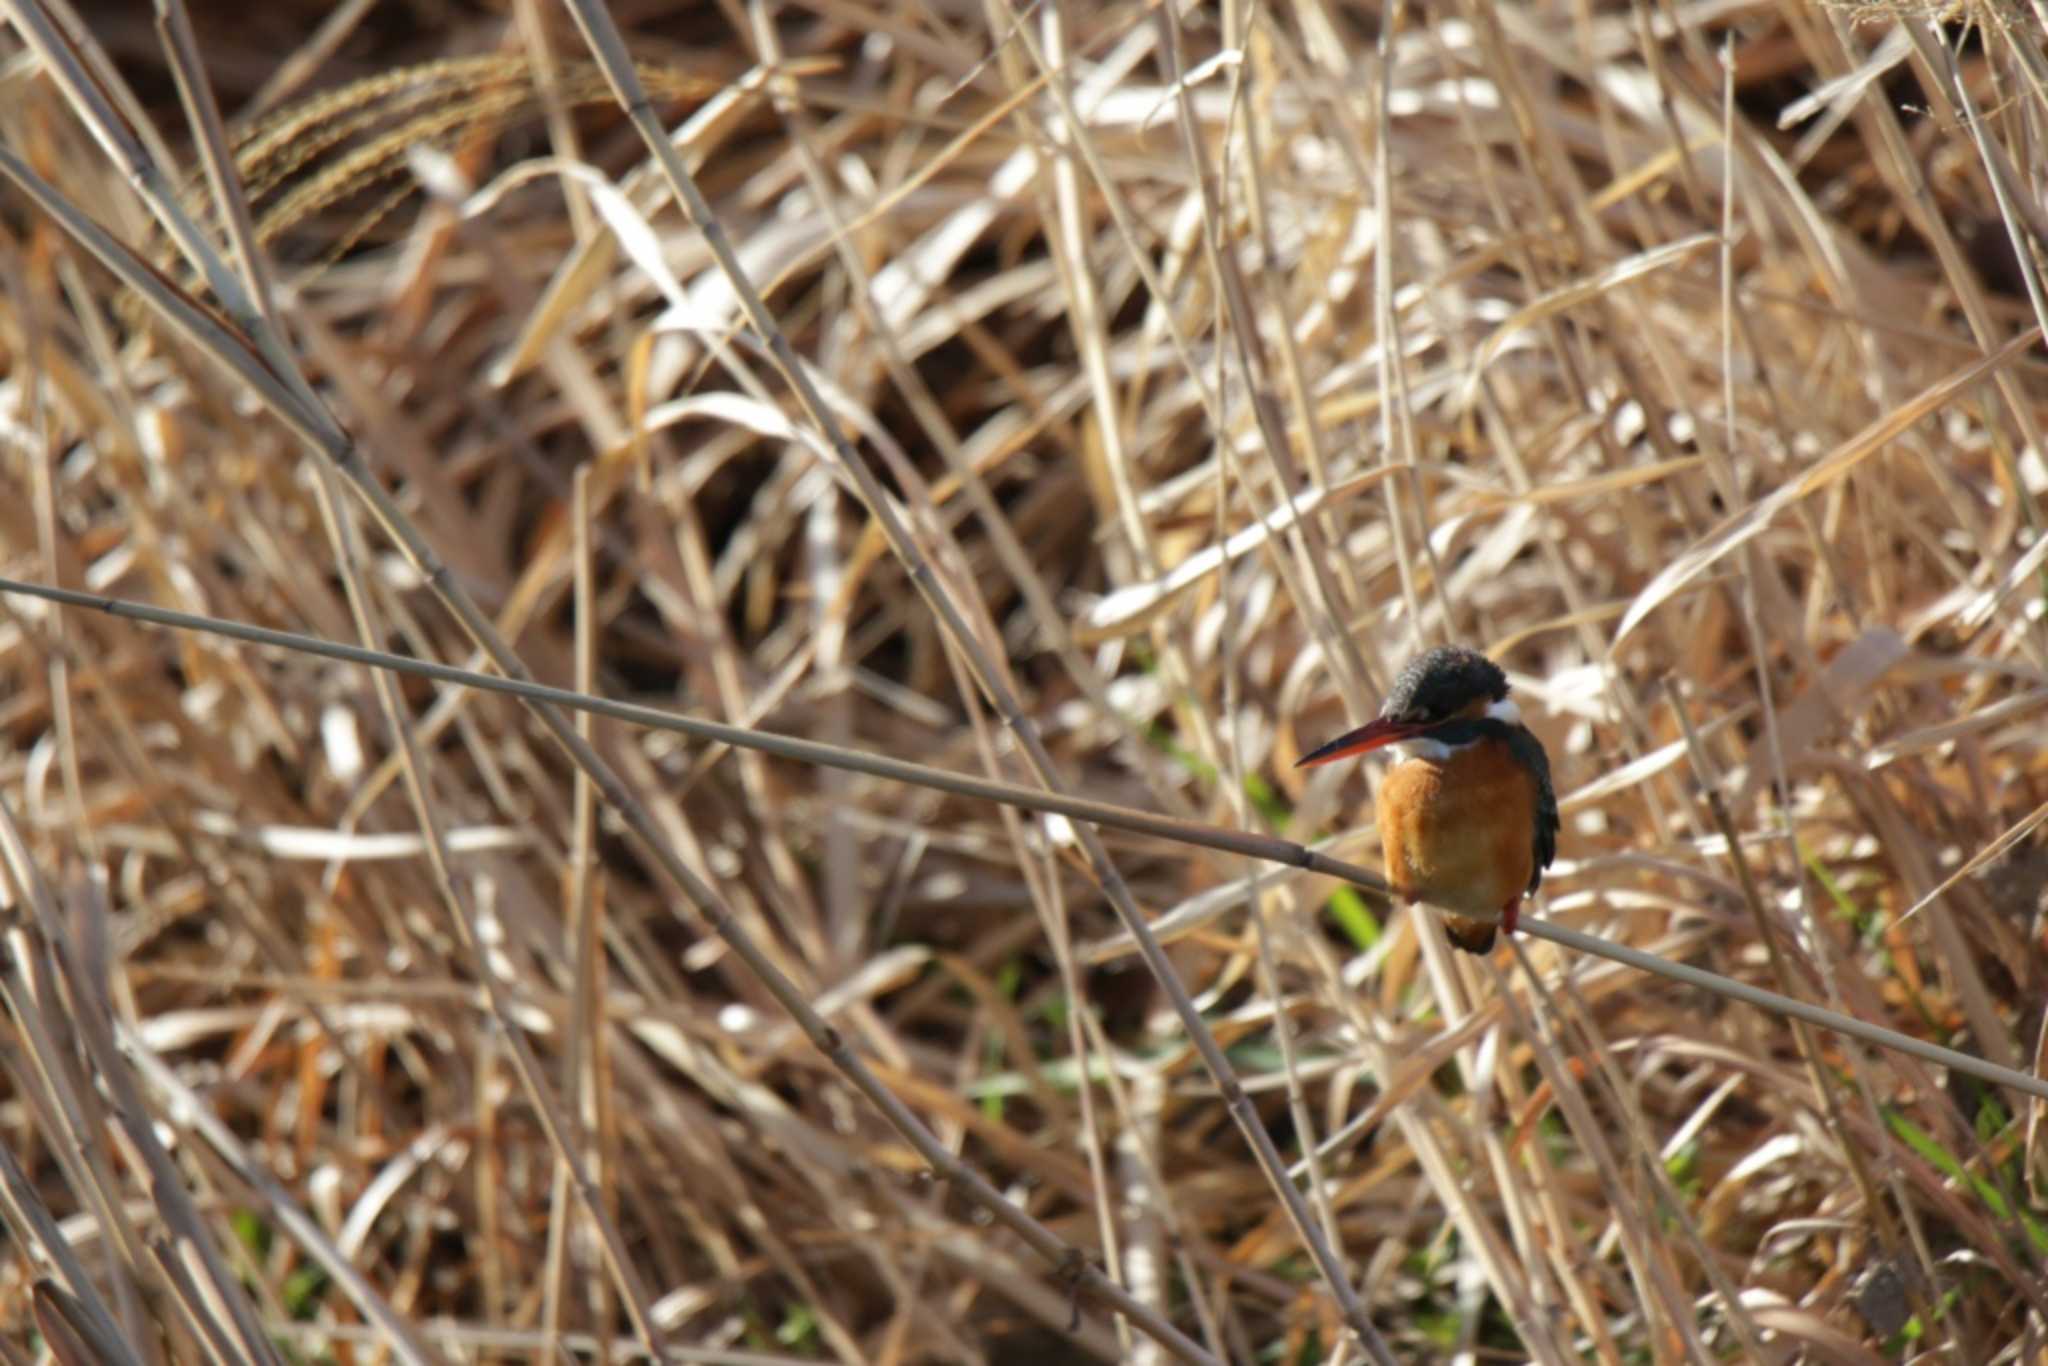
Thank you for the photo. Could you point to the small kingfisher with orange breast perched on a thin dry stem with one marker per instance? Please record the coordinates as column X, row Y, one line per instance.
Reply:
column 1467, row 820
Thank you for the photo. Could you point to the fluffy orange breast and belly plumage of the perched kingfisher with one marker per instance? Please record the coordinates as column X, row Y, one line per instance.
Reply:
column 1461, row 833
